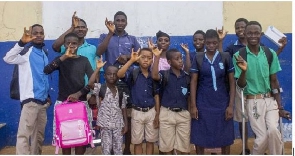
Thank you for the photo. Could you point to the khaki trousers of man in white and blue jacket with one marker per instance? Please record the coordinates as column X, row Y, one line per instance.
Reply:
column 31, row 129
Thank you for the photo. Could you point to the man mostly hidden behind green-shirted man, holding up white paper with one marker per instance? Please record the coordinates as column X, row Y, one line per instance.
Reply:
column 240, row 25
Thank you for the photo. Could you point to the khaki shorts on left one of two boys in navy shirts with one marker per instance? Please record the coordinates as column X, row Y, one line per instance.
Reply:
column 142, row 126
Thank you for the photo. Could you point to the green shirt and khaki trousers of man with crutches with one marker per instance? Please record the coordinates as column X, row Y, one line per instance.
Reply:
column 262, row 108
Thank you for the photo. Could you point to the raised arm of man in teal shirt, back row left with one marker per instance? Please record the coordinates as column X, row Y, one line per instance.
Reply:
column 60, row 40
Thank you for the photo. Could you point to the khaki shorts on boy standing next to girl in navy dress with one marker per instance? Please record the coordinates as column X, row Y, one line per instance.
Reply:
column 175, row 129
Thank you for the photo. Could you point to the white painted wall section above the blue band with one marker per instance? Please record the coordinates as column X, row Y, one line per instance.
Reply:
column 144, row 18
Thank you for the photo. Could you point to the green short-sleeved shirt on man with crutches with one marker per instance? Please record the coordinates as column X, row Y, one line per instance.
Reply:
column 258, row 71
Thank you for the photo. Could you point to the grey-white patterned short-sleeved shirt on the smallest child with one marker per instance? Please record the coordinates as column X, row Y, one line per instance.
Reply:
column 109, row 112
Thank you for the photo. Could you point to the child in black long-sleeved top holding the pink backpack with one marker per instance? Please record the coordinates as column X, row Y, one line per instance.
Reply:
column 72, row 69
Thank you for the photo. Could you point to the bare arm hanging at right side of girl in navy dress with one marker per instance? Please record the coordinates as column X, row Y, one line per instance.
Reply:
column 232, row 85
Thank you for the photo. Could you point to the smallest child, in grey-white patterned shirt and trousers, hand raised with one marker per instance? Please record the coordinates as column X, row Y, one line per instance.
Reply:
column 112, row 118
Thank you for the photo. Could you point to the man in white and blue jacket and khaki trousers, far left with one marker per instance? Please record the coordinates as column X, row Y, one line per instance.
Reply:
column 33, row 88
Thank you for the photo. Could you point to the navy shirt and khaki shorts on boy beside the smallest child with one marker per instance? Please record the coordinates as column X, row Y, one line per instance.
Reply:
column 143, row 107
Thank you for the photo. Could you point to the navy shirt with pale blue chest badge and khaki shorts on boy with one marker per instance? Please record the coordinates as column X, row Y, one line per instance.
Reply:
column 174, row 116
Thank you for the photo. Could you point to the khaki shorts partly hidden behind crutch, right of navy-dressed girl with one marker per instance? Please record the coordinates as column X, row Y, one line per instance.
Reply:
column 238, row 107
